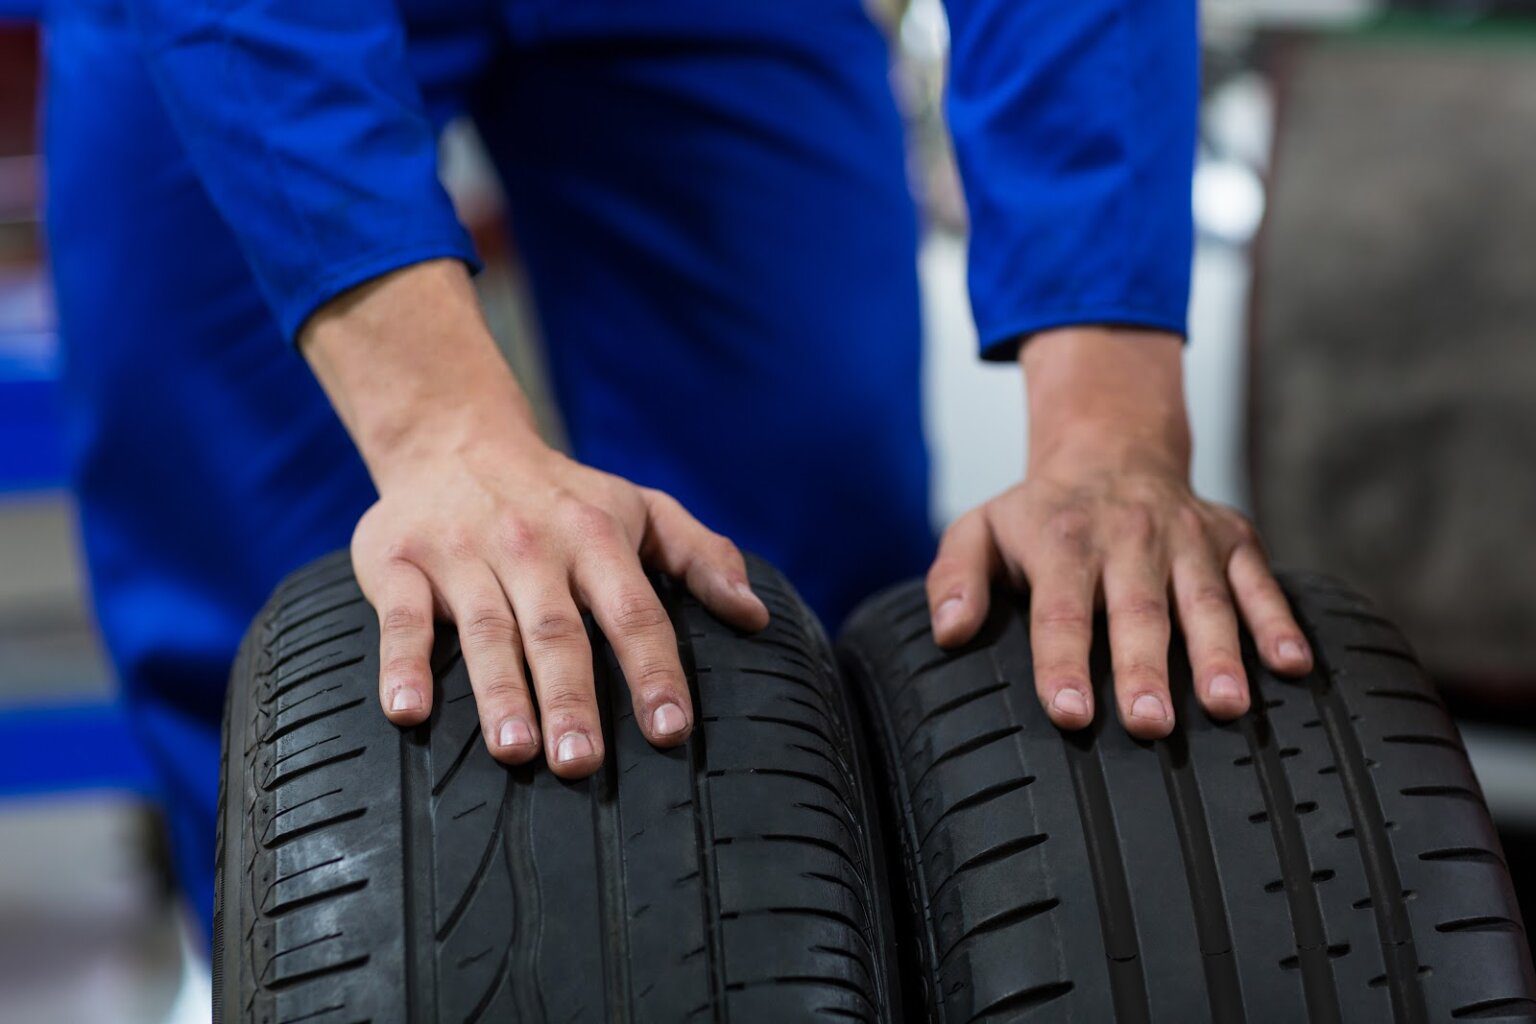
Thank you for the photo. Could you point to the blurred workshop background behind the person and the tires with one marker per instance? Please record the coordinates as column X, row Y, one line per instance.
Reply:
column 1362, row 380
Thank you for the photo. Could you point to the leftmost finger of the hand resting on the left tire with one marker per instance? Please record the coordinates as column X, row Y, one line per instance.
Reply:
column 405, row 609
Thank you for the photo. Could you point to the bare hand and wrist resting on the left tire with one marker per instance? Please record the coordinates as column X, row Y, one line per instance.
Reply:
column 482, row 524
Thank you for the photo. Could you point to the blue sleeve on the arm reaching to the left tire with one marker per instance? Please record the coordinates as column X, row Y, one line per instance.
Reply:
column 310, row 134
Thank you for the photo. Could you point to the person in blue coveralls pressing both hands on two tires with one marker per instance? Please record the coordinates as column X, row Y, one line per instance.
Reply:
column 710, row 200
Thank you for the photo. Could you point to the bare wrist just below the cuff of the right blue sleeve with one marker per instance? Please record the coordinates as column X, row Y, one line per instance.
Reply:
column 1101, row 395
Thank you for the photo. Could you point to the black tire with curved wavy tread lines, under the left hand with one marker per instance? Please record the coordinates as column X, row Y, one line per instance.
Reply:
column 374, row 874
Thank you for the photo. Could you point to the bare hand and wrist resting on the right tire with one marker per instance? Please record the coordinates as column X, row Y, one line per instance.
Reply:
column 1107, row 515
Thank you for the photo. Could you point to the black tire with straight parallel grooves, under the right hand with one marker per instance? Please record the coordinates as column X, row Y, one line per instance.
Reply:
column 1326, row 859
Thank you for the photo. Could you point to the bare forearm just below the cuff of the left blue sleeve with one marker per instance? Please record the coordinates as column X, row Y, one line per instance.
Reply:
column 412, row 369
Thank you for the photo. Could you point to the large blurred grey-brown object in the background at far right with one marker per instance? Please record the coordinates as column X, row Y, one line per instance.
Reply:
column 1395, row 339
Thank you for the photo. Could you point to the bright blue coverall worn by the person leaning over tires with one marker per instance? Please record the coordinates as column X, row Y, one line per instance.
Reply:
column 712, row 205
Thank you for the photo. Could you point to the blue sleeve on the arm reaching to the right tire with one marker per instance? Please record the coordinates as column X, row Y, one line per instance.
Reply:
column 1074, row 127
